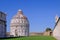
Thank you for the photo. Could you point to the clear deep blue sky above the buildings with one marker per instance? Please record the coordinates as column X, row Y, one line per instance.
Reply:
column 40, row 13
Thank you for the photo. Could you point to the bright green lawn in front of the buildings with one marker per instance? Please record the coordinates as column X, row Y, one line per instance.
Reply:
column 31, row 38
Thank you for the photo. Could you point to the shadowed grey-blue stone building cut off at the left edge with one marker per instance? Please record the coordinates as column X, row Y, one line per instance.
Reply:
column 2, row 24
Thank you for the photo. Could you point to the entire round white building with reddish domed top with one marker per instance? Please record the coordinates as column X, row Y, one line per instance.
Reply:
column 19, row 25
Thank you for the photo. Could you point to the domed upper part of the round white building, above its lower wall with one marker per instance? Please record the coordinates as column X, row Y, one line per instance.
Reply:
column 19, row 18
